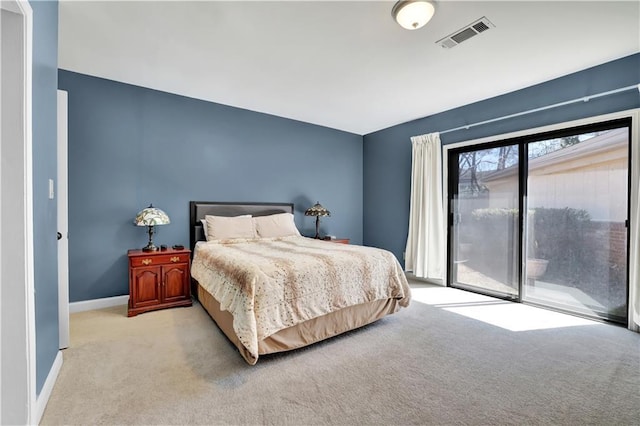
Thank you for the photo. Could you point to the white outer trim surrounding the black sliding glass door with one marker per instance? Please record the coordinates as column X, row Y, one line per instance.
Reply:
column 634, row 200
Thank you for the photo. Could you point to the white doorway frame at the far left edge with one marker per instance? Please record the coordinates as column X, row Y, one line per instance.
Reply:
column 18, row 355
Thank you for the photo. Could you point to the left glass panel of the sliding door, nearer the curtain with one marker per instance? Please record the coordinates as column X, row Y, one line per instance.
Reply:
column 484, row 221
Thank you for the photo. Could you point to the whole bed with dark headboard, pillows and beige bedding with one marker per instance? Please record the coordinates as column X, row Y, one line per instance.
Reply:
column 275, row 290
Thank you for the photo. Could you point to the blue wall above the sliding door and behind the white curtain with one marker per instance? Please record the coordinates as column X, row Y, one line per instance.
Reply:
column 387, row 153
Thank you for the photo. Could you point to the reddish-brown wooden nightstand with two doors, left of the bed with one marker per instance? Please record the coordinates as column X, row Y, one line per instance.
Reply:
column 158, row 279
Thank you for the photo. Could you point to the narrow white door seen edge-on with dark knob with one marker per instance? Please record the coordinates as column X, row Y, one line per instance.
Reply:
column 63, row 228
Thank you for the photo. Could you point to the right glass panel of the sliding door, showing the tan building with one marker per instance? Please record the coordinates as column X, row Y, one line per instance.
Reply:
column 576, row 232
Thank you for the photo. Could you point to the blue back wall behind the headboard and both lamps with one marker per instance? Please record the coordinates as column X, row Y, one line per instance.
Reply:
column 130, row 146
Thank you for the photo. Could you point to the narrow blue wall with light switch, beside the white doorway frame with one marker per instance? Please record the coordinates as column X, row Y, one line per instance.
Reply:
column 45, row 83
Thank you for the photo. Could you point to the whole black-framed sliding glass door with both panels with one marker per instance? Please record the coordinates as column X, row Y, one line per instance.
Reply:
column 569, row 251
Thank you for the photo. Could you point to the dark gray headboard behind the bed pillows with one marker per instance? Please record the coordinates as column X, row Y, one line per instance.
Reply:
column 199, row 209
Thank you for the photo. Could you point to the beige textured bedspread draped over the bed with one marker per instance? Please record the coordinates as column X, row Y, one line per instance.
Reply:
column 269, row 284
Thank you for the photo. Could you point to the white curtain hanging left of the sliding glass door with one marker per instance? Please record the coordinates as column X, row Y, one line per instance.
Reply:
column 425, row 252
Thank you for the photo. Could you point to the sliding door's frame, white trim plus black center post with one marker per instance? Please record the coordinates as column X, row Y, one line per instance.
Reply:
column 524, row 136
